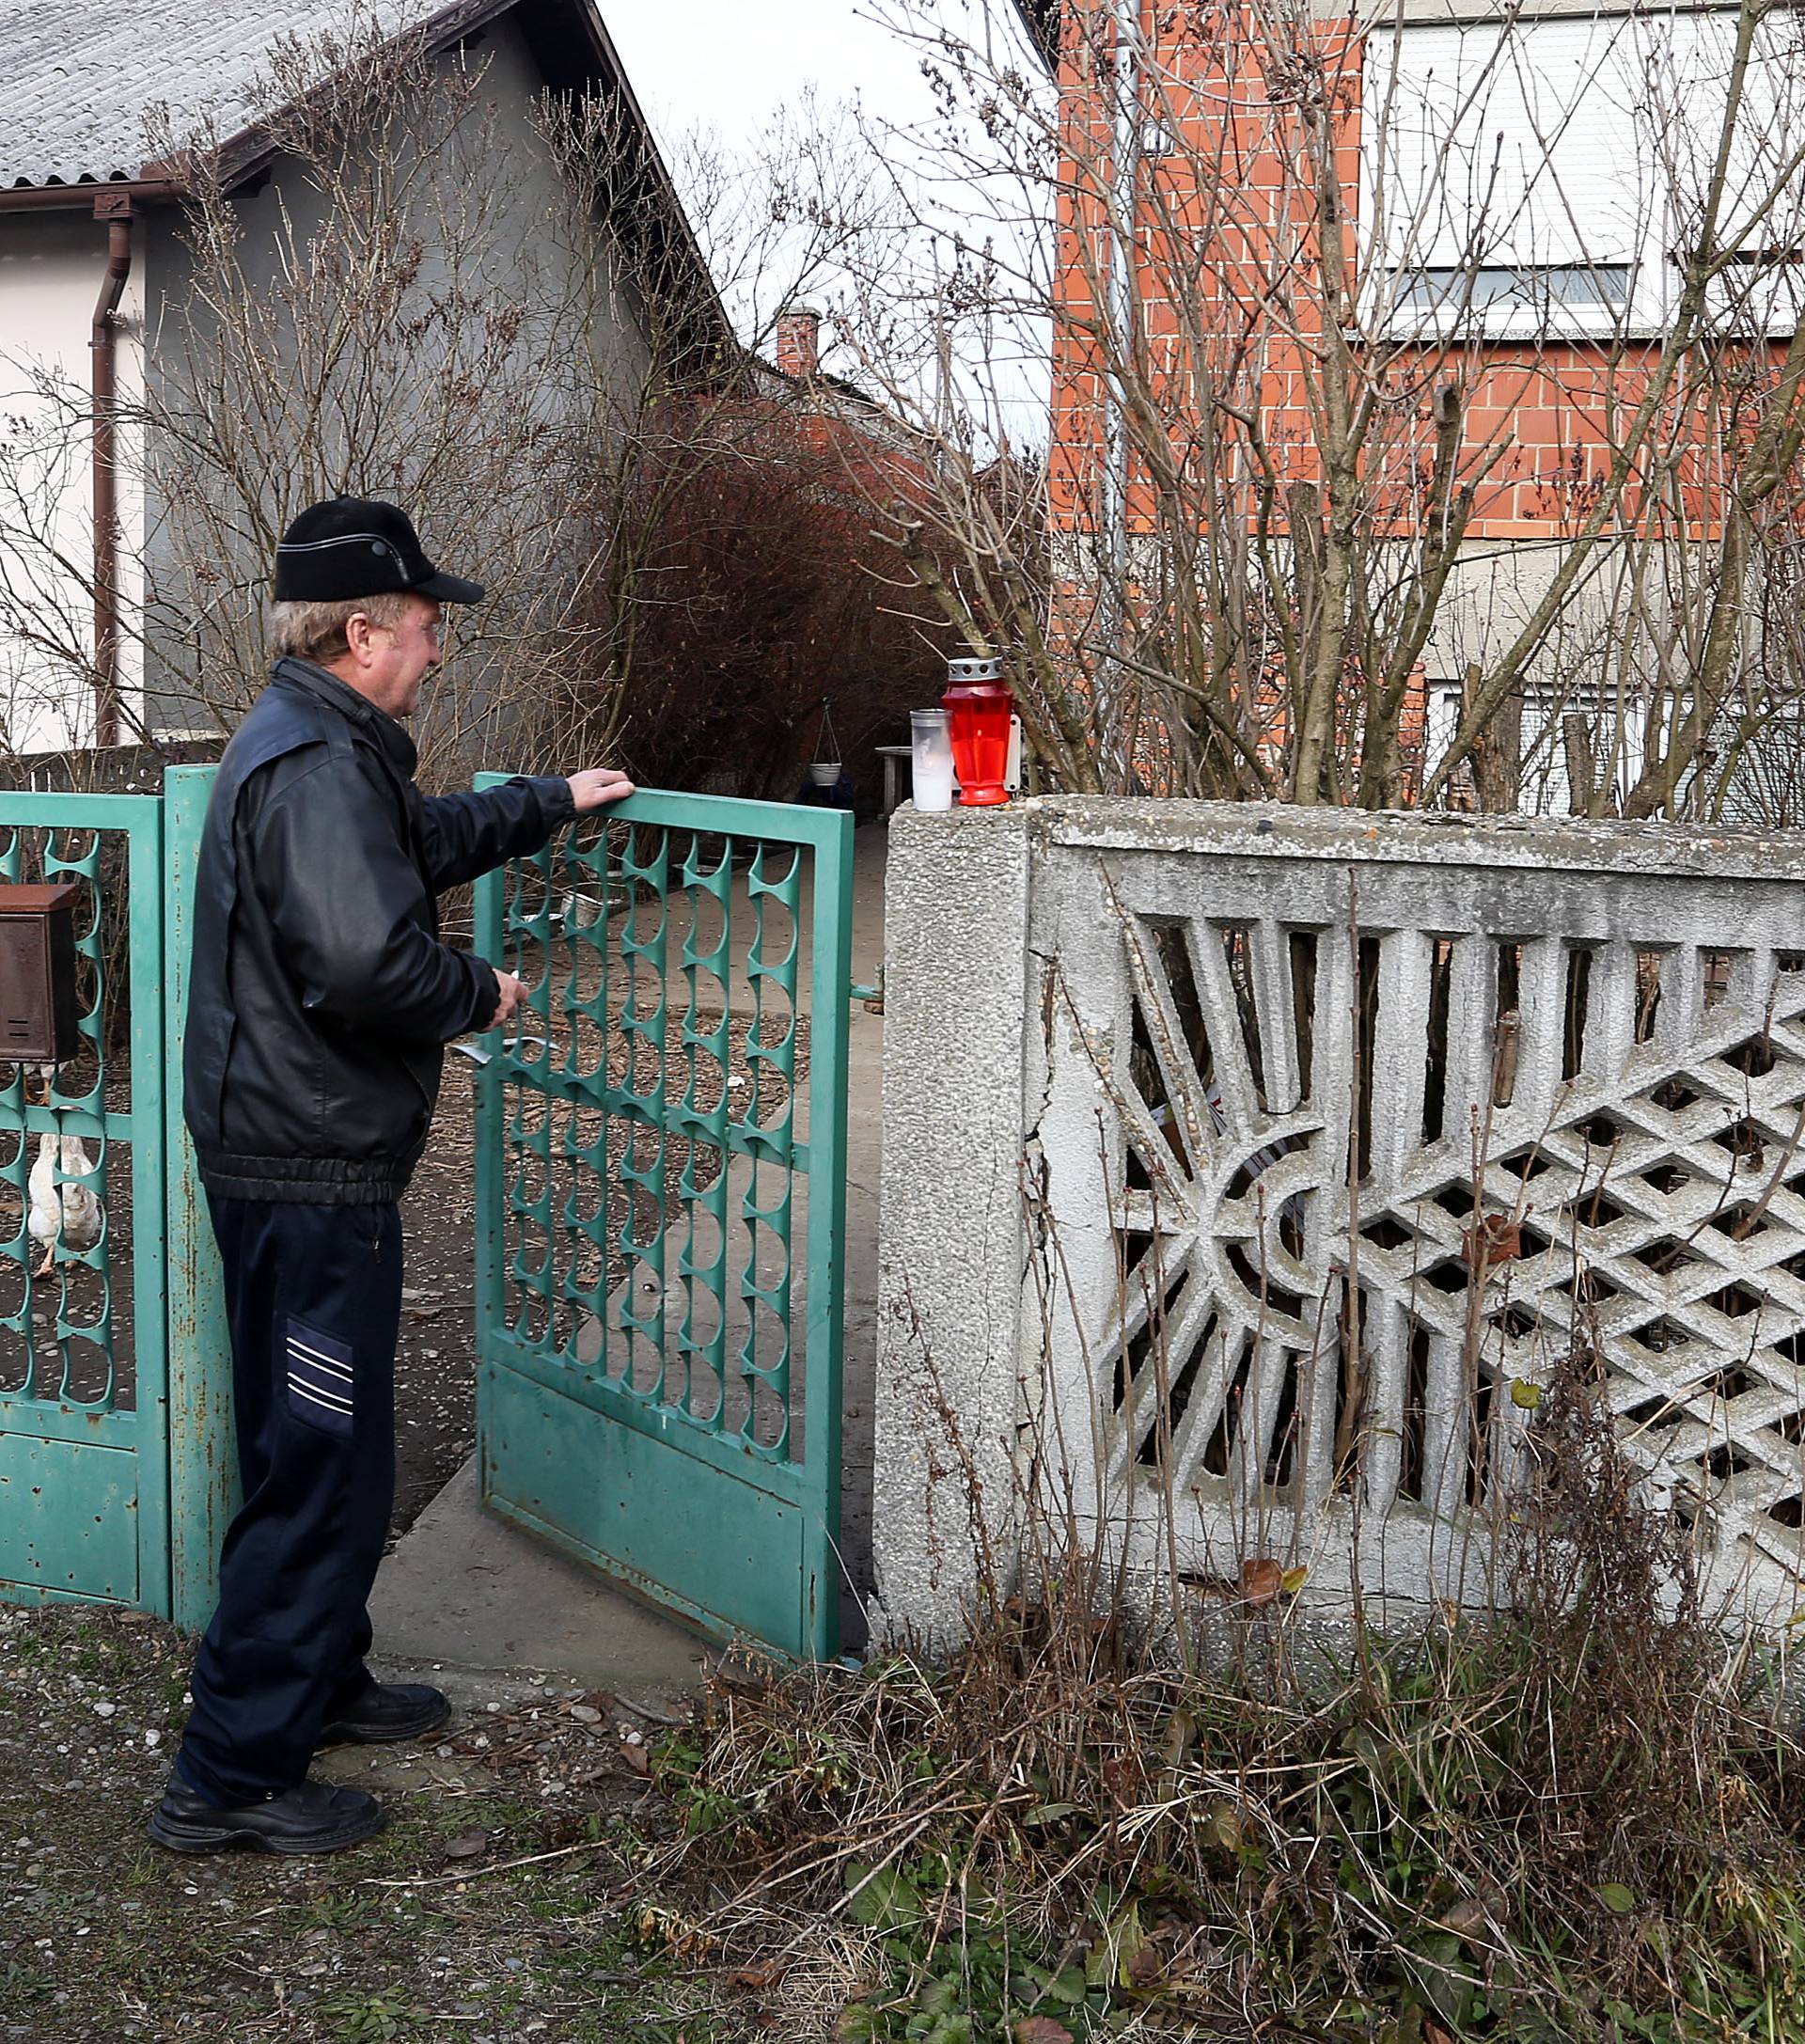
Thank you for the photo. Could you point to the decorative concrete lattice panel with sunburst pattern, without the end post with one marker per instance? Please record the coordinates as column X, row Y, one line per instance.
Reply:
column 1383, row 1117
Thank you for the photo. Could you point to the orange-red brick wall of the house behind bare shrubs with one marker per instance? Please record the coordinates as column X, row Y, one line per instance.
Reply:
column 1234, row 101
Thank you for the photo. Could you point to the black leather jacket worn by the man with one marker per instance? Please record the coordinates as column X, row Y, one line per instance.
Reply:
column 322, row 994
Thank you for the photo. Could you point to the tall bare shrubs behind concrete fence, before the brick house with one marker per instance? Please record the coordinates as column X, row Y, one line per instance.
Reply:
column 1301, row 318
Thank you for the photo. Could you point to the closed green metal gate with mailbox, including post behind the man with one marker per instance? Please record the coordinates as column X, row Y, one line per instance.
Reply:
column 109, row 1289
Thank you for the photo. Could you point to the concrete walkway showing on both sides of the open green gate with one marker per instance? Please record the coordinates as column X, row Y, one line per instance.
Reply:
column 465, row 1591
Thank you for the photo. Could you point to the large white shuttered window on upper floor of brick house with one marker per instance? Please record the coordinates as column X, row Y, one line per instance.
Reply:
column 1540, row 179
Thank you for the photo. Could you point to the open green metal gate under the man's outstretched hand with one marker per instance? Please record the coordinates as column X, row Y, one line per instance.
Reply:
column 661, row 1207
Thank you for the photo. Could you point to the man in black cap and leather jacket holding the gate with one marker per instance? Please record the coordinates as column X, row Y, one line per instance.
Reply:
column 320, row 1007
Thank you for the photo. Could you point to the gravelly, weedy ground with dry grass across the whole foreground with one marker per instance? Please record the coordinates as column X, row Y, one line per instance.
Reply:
column 1579, row 1820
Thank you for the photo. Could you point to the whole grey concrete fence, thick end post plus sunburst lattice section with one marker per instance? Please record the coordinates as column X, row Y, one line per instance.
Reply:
column 1248, row 1172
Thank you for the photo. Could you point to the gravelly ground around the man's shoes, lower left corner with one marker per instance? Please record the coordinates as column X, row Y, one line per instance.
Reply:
column 514, row 1896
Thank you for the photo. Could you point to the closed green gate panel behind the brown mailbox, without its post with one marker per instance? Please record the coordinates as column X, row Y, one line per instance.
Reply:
column 83, row 1240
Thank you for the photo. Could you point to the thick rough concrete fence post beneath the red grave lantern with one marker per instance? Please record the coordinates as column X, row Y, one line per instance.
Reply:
column 952, row 1236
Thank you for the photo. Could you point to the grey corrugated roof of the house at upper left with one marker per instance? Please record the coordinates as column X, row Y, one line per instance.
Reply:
column 79, row 77
